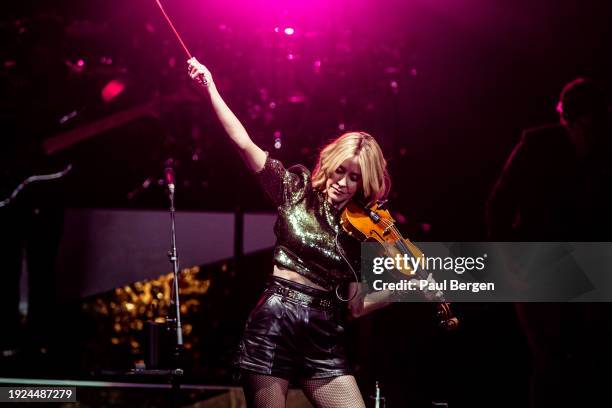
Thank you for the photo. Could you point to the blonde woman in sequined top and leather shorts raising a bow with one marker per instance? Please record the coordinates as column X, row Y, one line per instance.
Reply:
column 296, row 331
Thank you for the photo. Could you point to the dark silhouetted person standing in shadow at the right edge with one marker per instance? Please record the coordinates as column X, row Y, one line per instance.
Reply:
column 556, row 186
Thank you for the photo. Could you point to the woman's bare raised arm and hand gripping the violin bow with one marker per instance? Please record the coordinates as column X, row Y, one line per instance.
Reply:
column 252, row 155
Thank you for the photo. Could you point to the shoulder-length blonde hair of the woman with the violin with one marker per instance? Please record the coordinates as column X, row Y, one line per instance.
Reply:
column 375, row 178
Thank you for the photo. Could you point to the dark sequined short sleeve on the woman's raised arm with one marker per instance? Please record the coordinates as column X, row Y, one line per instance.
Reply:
column 283, row 186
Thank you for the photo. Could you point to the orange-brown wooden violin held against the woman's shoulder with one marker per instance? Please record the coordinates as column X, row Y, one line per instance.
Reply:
column 374, row 223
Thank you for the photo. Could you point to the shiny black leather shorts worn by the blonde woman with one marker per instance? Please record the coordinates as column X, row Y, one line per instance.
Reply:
column 289, row 335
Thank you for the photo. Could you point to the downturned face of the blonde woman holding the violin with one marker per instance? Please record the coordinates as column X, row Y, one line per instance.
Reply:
column 344, row 182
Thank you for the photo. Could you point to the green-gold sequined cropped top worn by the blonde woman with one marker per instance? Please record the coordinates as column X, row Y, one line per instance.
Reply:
column 307, row 227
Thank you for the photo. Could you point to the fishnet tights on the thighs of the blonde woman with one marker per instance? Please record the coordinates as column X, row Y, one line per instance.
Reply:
column 264, row 391
